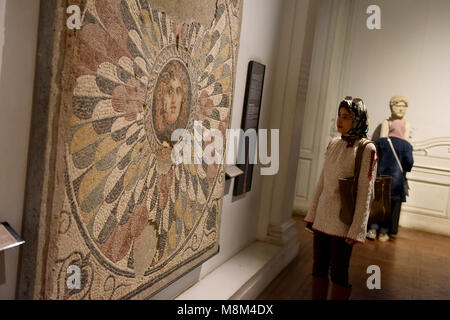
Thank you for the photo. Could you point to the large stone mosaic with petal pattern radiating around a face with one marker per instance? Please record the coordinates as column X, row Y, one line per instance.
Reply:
column 133, row 221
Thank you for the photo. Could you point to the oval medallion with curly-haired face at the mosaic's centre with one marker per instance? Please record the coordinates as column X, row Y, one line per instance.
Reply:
column 171, row 100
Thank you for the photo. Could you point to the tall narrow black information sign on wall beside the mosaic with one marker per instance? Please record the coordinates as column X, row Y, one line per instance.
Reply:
column 250, row 120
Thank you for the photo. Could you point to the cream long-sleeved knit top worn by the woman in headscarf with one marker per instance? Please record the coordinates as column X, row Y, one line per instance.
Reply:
column 326, row 204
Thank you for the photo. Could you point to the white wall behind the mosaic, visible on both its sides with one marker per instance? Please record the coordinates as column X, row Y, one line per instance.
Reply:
column 18, row 39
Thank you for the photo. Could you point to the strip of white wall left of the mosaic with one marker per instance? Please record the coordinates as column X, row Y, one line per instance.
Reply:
column 18, row 40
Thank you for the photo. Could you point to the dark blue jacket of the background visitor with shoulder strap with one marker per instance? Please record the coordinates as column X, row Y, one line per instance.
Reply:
column 387, row 164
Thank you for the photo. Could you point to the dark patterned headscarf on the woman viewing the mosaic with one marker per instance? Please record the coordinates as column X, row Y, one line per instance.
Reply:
column 360, row 116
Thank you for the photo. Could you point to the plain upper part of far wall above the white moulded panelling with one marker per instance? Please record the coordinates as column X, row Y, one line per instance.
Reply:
column 409, row 56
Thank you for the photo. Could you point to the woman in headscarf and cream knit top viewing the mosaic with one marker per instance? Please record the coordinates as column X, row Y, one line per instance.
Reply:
column 333, row 239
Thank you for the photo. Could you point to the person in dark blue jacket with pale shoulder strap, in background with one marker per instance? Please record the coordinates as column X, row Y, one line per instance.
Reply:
column 388, row 165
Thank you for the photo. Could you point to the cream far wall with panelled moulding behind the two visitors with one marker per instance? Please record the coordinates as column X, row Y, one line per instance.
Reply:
column 408, row 56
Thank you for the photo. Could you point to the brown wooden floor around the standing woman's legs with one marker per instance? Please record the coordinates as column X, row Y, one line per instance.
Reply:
column 416, row 265
